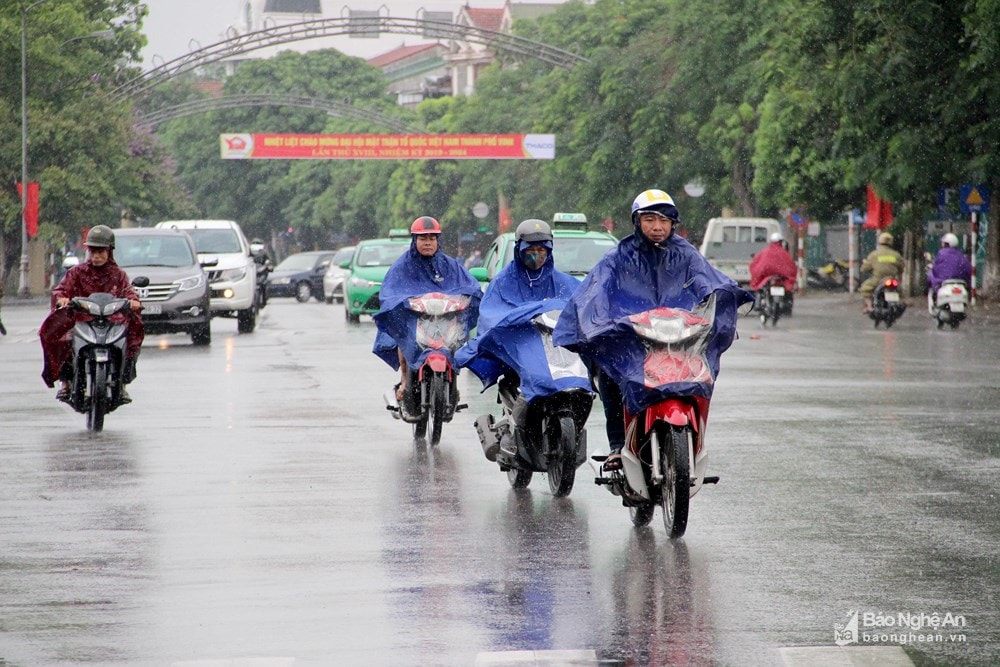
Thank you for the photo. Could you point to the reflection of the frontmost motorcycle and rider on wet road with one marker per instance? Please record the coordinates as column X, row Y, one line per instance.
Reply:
column 662, row 613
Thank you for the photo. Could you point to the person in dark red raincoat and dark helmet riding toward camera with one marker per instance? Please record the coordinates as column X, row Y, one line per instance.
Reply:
column 100, row 273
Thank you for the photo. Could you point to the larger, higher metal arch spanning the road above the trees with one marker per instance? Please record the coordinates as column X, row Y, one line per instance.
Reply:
column 294, row 32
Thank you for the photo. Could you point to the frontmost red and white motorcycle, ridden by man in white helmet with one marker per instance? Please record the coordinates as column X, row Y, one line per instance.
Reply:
column 664, row 459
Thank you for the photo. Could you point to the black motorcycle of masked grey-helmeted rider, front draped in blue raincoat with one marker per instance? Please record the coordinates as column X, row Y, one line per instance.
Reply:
column 554, row 385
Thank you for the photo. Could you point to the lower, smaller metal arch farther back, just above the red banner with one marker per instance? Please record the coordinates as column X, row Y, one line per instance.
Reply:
column 331, row 107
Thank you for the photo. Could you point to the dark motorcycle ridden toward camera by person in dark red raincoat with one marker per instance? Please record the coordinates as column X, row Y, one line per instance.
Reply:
column 98, row 345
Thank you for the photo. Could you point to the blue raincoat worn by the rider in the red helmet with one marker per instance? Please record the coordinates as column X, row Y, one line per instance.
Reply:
column 412, row 275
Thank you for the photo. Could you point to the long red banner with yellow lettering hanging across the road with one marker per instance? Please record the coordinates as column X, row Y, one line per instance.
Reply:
column 387, row 146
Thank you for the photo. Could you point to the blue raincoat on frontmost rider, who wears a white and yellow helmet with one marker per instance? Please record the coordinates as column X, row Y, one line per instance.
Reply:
column 639, row 276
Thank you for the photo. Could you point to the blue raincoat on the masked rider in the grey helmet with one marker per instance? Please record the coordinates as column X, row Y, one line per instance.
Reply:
column 507, row 339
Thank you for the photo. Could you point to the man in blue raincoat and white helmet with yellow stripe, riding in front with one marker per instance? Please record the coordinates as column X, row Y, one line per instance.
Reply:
column 650, row 268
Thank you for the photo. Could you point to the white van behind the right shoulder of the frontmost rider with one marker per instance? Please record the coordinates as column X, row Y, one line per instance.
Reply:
column 730, row 243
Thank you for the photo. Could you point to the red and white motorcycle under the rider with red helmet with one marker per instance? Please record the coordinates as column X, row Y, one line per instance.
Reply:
column 431, row 399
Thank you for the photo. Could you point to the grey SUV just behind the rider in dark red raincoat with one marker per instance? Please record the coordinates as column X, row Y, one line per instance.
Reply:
column 177, row 297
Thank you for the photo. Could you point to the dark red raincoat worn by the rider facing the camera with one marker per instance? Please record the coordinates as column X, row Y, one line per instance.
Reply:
column 83, row 280
